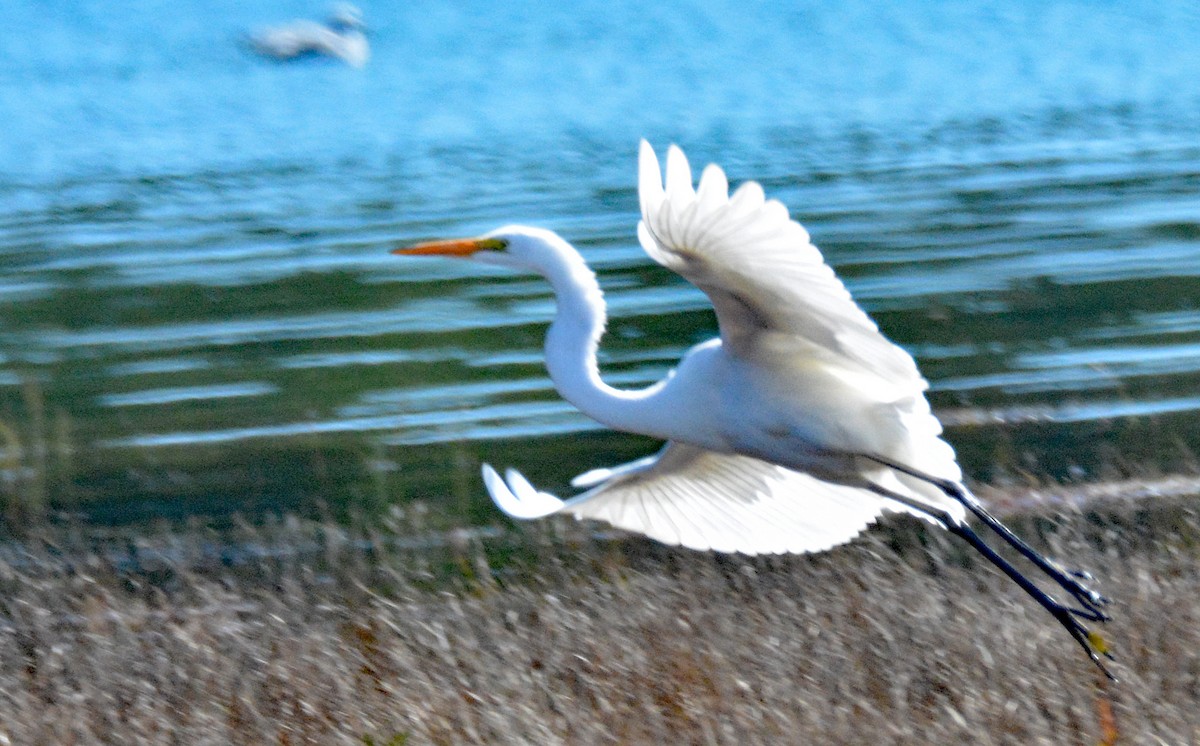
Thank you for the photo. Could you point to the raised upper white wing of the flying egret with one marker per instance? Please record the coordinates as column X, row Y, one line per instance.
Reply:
column 758, row 267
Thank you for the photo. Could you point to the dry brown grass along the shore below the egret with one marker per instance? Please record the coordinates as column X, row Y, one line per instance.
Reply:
column 899, row 639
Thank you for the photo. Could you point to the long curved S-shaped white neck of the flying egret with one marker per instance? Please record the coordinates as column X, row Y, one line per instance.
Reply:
column 572, row 347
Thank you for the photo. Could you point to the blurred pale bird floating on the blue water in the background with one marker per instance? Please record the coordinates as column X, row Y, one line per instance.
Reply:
column 340, row 38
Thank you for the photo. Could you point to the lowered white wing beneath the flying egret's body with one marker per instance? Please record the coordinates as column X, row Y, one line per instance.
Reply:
column 706, row 501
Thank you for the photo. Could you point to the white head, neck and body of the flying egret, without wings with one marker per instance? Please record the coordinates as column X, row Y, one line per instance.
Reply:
column 772, row 399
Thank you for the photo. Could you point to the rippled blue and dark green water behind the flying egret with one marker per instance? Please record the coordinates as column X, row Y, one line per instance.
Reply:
column 200, row 314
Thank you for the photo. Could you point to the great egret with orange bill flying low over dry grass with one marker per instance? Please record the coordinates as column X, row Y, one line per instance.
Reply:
column 791, row 432
